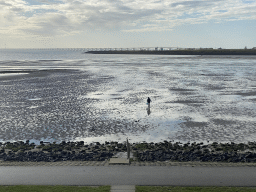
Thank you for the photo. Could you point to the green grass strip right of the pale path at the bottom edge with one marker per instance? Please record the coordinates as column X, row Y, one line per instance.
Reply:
column 190, row 189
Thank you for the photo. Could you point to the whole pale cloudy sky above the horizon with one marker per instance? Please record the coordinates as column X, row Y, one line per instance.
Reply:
column 127, row 23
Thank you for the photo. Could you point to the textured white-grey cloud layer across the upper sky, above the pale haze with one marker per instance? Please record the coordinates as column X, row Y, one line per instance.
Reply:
column 64, row 17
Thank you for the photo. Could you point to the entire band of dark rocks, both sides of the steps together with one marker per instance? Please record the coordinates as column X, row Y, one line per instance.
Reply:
column 163, row 151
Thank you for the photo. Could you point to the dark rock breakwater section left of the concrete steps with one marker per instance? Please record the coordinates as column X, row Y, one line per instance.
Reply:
column 51, row 152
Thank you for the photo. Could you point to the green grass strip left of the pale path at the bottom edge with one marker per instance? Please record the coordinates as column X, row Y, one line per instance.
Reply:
column 50, row 188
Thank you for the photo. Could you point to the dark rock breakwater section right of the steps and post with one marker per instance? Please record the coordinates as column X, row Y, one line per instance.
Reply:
column 215, row 152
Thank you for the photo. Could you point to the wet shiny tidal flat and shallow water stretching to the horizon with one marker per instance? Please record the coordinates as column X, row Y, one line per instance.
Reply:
column 64, row 94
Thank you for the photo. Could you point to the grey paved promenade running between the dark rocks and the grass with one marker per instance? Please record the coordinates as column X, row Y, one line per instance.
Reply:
column 98, row 173
